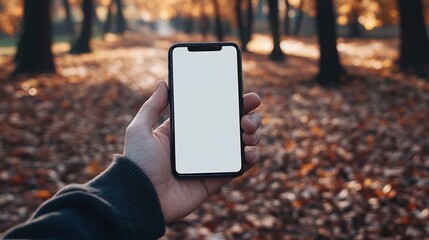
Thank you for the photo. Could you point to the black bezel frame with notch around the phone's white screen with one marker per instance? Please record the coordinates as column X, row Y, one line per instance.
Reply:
column 202, row 46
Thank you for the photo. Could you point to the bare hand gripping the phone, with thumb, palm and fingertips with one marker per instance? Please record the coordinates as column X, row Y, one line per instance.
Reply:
column 149, row 148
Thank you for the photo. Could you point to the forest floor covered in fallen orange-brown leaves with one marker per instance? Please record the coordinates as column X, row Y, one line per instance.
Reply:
column 341, row 163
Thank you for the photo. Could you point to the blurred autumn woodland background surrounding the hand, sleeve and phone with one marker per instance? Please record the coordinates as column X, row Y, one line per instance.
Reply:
column 344, row 83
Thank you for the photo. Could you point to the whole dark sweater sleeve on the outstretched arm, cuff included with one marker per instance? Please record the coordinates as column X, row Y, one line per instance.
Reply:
column 120, row 203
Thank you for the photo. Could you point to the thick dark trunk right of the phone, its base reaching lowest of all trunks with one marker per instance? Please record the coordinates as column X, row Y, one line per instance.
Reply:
column 329, row 63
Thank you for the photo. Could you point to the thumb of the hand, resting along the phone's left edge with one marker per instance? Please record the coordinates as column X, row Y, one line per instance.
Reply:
column 149, row 113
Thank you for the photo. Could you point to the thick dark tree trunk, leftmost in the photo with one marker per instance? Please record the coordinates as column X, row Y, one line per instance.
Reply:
column 34, row 53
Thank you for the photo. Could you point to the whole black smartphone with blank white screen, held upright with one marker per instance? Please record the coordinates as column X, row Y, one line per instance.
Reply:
column 206, row 106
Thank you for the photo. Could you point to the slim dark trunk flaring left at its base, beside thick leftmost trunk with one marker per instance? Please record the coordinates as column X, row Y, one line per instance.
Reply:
column 82, row 43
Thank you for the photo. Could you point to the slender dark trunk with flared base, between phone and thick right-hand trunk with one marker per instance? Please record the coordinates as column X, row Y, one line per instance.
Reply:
column 277, row 53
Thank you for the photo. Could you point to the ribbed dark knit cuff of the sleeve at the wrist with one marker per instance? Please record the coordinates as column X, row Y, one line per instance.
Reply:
column 131, row 193
